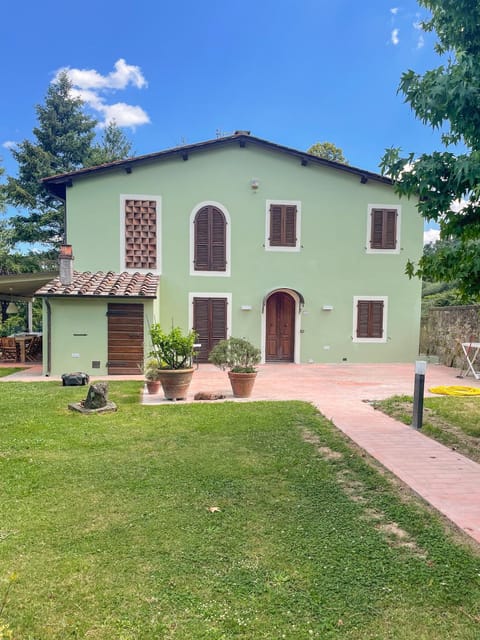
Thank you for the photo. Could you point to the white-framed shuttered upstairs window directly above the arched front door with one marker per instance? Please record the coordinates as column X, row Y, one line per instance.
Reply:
column 282, row 225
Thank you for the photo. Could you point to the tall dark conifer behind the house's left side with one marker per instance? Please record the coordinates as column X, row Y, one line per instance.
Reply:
column 63, row 142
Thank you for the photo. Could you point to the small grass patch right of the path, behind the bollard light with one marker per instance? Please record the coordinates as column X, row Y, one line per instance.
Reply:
column 453, row 421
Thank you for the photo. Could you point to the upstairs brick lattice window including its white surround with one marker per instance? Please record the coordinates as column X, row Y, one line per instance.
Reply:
column 140, row 231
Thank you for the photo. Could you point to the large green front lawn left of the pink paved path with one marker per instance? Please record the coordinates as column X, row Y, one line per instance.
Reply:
column 214, row 521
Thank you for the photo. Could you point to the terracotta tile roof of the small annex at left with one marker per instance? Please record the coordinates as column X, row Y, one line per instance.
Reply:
column 101, row 284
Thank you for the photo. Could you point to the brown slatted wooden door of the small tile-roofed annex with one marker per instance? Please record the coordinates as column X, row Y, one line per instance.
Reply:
column 125, row 339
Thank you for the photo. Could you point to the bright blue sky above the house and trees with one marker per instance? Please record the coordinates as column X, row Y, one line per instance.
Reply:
column 294, row 72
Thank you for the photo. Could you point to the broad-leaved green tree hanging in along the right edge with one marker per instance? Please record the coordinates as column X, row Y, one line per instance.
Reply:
column 447, row 183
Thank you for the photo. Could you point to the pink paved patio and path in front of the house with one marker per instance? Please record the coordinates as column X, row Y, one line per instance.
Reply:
column 444, row 478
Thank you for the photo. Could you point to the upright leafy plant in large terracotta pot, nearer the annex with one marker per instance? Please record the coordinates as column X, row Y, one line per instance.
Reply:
column 174, row 352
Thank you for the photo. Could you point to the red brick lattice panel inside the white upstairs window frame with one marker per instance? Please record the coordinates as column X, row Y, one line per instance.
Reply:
column 140, row 234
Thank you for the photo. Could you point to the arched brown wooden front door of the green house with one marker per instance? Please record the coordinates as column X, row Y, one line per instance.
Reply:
column 280, row 343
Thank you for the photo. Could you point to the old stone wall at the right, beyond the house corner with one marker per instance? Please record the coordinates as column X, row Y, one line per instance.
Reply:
column 444, row 328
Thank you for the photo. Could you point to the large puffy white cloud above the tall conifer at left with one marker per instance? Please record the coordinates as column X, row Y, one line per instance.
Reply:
column 91, row 86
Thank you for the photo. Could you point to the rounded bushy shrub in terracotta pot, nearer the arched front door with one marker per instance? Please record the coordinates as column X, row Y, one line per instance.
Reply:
column 240, row 357
